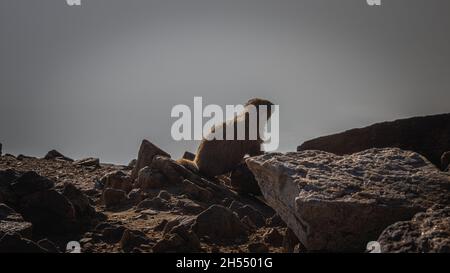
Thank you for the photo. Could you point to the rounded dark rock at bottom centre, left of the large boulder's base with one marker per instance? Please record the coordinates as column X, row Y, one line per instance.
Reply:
column 219, row 224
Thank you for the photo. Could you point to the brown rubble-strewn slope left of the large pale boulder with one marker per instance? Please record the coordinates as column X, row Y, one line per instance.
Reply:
column 47, row 202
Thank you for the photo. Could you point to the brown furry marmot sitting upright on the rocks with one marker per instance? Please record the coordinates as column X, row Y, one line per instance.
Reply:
column 216, row 157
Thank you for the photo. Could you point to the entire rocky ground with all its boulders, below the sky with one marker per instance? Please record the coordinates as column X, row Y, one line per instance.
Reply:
column 336, row 194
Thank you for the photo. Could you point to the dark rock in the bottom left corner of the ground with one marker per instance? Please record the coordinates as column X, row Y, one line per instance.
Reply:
column 14, row 243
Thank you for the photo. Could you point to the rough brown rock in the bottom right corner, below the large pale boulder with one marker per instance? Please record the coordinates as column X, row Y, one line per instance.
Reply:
column 427, row 232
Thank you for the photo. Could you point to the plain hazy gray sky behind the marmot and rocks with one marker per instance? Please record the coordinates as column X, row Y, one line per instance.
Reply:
column 95, row 80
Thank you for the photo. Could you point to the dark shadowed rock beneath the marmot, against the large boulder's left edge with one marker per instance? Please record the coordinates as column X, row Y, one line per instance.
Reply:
column 243, row 181
